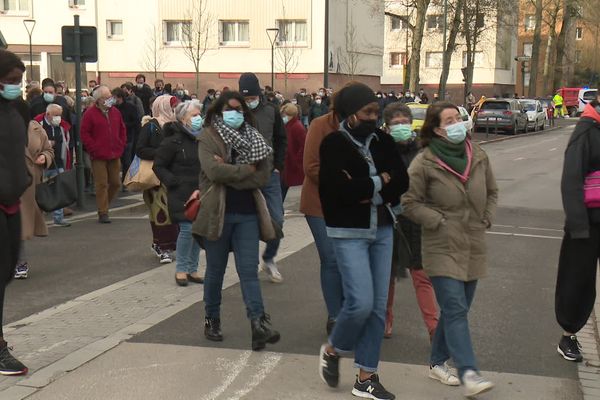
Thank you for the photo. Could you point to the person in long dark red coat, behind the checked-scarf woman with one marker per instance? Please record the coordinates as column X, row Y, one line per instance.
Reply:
column 293, row 172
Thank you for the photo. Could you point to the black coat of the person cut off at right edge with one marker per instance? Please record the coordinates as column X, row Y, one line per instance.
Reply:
column 582, row 156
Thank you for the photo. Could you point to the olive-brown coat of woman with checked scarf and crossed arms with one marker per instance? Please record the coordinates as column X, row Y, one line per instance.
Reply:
column 215, row 176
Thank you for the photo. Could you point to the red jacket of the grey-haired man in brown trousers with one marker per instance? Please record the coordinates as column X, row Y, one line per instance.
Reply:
column 104, row 136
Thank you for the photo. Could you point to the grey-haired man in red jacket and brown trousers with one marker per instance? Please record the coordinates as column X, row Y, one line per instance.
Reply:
column 104, row 136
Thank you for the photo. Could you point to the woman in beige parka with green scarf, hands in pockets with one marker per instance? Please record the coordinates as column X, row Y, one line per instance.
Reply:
column 453, row 196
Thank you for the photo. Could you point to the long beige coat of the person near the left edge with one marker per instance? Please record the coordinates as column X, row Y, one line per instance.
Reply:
column 32, row 219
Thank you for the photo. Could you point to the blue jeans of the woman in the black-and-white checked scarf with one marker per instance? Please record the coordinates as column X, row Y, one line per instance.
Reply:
column 240, row 235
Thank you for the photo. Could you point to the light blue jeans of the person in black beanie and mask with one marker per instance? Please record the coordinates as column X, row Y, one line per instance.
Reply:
column 365, row 266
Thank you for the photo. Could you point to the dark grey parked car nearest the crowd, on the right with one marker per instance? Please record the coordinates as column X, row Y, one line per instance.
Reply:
column 503, row 114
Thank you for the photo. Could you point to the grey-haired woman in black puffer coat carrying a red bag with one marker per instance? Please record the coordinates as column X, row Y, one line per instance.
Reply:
column 177, row 167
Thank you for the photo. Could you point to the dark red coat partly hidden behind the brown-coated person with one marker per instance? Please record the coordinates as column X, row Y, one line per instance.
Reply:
column 293, row 173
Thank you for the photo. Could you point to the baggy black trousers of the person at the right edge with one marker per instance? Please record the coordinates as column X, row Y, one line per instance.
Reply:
column 576, row 282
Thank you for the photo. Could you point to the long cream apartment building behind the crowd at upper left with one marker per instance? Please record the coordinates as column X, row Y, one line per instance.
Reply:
column 149, row 36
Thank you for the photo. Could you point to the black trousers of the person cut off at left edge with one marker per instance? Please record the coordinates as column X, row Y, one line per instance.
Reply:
column 10, row 241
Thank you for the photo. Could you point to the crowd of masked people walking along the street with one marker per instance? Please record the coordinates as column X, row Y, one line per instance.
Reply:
column 378, row 200
